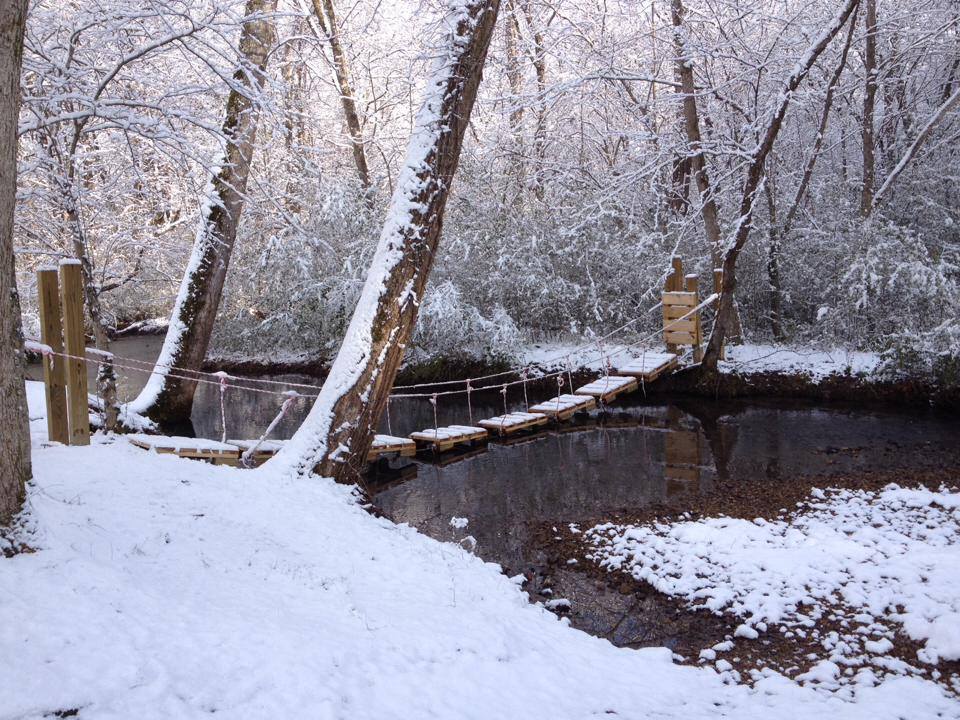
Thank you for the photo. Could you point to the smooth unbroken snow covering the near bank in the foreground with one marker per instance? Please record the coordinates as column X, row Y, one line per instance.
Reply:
column 167, row 588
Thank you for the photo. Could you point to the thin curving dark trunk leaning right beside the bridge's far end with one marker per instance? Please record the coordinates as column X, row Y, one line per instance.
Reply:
column 727, row 310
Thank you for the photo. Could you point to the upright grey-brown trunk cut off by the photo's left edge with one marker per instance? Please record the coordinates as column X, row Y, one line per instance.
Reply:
column 14, row 420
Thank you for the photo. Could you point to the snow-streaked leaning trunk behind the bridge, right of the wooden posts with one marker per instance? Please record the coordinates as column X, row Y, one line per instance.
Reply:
column 165, row 398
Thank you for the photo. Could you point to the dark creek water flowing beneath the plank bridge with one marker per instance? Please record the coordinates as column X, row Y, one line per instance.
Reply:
column 602, row 464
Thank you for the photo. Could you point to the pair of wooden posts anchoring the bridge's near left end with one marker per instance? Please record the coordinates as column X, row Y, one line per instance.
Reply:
column 65, row 379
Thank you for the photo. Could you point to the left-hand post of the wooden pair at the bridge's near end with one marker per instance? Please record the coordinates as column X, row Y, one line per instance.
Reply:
column 54, row 377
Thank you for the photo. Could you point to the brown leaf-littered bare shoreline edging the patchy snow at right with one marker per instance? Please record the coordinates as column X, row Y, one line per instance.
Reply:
column 564, row 570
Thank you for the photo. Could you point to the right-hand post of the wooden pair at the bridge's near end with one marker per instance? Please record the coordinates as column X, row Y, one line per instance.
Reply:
column 71, row 299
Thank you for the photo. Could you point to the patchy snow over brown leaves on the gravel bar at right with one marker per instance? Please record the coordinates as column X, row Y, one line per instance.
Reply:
column 847, row 570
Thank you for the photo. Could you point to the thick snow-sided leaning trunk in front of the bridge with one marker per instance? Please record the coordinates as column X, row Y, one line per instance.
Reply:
column 337, row 434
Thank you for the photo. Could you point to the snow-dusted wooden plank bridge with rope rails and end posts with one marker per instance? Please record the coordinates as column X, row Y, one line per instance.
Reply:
column 66, row 391
